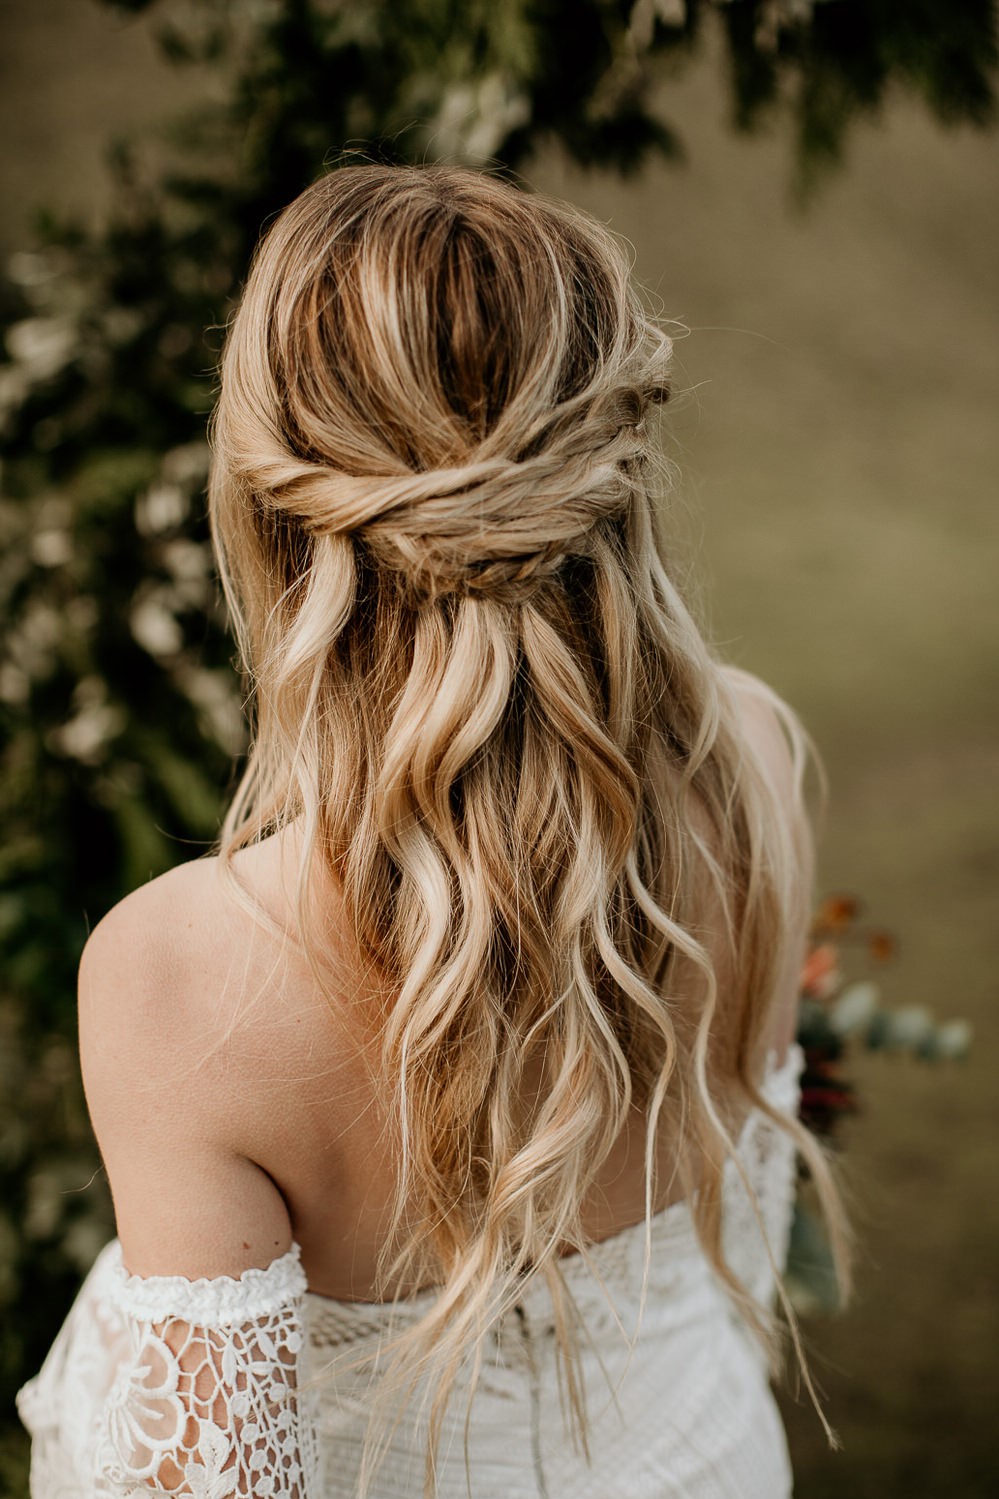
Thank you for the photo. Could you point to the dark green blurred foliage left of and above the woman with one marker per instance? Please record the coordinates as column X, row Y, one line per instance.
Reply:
column 119, row 707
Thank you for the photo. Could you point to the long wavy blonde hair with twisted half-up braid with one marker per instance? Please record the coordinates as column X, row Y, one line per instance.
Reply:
column 481, row 696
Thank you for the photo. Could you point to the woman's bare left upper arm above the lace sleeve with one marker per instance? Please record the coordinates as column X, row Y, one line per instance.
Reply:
column 161, row 1097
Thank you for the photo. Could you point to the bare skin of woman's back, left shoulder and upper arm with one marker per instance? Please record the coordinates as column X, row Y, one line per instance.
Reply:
column 286, row 1116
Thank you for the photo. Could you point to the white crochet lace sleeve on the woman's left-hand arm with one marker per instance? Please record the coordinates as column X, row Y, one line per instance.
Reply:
column 164, row 1386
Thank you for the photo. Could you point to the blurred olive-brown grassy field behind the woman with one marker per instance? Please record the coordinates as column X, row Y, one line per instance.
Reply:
column 838, row 437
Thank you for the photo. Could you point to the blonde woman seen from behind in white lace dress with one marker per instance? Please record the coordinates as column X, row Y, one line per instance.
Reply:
column 449, row 1112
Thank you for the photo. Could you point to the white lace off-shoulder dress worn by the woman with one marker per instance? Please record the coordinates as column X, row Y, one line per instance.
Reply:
column 256, row 1387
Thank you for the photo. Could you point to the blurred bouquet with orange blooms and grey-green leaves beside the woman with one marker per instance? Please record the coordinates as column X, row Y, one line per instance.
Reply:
column 841, row 1016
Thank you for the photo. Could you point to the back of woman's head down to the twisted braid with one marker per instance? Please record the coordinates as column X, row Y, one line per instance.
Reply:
column 443, row 370
